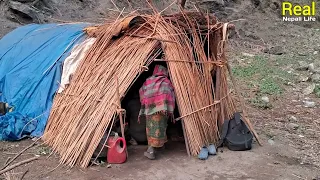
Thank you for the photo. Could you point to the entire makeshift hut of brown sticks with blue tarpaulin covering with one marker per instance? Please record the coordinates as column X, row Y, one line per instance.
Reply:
column 69, row 80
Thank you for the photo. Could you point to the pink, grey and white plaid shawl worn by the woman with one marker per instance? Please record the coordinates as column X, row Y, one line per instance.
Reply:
column 157, row 94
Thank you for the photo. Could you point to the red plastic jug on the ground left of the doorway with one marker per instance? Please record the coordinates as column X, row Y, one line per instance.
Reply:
column 116, row 153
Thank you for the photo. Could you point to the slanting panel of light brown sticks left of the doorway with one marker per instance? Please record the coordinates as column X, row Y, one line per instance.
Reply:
column 84, row 120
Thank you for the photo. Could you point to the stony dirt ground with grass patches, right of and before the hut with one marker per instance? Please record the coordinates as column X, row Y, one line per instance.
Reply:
column 290, row 131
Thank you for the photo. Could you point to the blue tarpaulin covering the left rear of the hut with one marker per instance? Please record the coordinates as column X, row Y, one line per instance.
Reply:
column 30, row 71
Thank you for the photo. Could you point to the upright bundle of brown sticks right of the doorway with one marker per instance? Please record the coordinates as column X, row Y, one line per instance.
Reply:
column 191, row 73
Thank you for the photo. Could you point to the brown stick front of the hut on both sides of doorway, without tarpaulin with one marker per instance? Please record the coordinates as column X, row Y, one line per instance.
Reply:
column 190, row 43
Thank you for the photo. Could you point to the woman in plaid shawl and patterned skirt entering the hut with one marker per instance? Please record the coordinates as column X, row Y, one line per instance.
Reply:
column 157, row 106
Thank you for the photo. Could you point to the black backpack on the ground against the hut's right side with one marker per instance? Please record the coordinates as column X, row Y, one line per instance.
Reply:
column 236, row 135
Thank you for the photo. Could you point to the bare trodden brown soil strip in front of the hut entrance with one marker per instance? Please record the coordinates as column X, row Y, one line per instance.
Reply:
column 276, row 161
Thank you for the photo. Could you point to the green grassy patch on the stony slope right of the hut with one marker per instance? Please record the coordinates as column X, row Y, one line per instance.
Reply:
column 263, row 77
